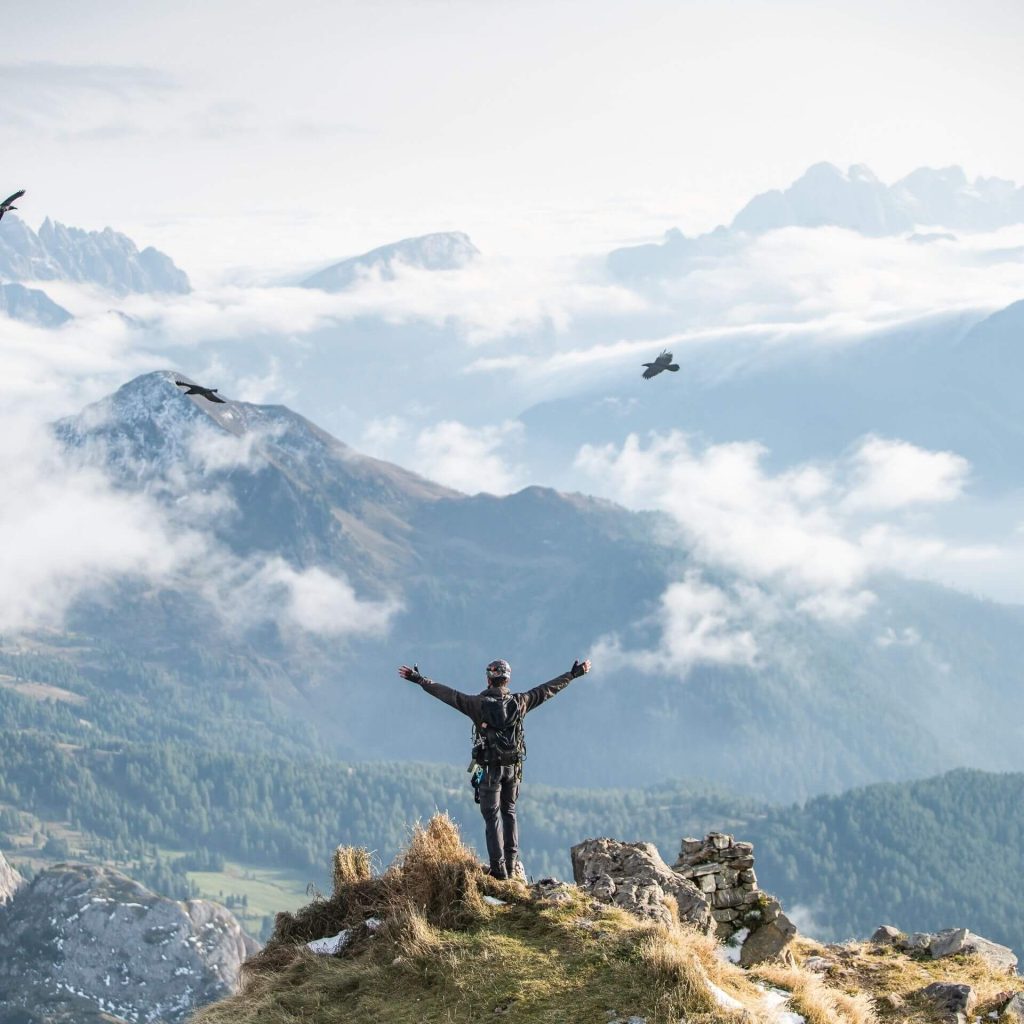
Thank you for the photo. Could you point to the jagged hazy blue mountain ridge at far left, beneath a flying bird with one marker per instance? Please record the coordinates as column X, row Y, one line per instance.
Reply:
column 106, row 259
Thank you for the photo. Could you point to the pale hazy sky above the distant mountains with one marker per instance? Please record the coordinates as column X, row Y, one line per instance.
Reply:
column 264, row 135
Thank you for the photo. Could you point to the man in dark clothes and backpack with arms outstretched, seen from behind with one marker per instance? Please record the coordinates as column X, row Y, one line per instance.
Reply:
column 499, row 748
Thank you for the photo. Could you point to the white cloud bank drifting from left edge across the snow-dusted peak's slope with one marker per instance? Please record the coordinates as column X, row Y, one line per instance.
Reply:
column 69, row 532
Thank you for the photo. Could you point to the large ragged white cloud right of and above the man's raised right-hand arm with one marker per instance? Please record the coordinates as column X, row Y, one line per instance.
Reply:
column 810, row 537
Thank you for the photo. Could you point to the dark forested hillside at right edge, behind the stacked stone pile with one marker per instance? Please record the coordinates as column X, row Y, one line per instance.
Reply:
column 926, row 856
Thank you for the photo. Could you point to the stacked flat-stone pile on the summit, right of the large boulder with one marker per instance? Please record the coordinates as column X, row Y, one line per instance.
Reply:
column 723, row 871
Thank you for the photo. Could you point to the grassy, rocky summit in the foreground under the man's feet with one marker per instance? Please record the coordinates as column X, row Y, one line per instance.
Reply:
column 435, row 940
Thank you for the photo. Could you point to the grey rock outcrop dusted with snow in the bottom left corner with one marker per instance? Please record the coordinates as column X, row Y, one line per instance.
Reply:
column 81, row 936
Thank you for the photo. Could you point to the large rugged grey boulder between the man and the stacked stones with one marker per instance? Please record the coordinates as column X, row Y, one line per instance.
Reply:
column 634, row 877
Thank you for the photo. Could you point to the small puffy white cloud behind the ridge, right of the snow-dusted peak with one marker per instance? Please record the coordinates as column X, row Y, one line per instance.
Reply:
column 470, row 459
